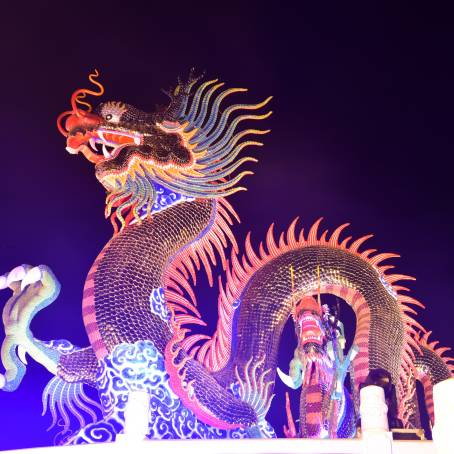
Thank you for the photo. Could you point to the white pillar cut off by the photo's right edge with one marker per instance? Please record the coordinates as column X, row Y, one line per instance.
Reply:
column 443, row 430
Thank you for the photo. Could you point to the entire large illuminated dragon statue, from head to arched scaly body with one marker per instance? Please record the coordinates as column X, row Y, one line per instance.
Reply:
column 167, row 176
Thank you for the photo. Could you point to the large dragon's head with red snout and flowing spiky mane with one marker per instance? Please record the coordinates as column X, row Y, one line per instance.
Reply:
column 189, row 147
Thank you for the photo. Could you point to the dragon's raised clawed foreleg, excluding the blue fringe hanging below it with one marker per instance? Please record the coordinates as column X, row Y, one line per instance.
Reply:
column 35, row 288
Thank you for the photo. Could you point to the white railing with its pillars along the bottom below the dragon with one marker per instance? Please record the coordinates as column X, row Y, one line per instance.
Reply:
column 376, row 437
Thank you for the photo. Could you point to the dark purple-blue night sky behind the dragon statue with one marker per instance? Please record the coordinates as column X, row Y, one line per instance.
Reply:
column 361, row 133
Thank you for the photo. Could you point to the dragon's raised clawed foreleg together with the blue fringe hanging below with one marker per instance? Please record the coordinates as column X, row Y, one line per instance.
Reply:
column 33, row 290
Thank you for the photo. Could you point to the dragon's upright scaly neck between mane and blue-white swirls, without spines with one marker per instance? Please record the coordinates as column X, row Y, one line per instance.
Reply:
column 128, row 277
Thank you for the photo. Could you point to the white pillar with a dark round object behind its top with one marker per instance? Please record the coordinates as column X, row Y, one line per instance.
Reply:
column 374, row 421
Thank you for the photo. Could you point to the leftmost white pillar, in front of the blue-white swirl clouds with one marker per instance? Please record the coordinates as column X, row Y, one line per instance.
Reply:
column 136, row 417
